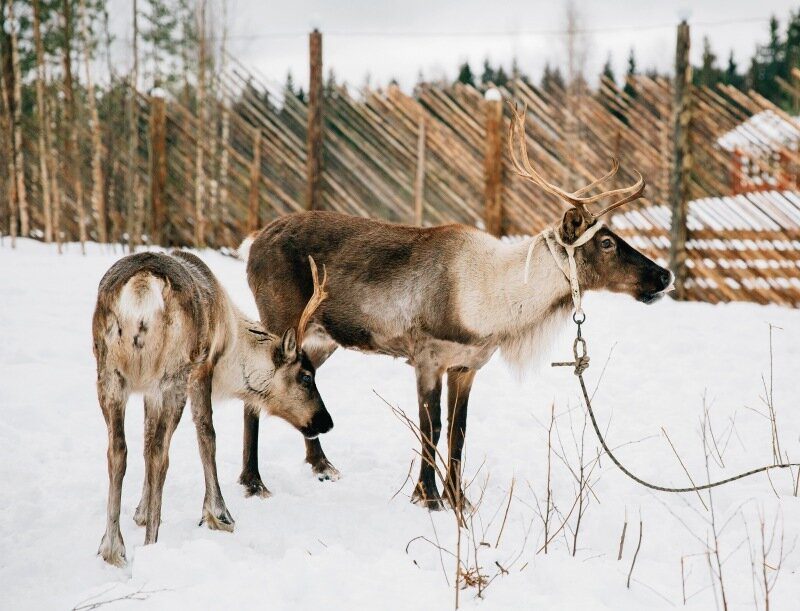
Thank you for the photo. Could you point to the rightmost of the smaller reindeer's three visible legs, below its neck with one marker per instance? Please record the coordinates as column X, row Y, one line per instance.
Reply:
column 215, row 513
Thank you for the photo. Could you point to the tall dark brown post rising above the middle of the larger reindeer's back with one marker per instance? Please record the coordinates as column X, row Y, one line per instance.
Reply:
column 314, row 129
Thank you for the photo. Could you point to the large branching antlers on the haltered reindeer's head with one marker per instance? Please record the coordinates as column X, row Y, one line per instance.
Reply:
column 524, row 169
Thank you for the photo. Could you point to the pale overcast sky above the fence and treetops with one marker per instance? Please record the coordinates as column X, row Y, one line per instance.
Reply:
column 389, row 39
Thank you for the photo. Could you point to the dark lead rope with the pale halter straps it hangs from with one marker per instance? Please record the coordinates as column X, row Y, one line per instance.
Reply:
column 581, row 364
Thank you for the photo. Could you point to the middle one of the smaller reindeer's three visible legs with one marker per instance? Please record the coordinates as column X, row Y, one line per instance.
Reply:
column 172, row 398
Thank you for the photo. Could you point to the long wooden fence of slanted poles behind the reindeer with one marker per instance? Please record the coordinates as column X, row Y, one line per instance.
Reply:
column 437, row 156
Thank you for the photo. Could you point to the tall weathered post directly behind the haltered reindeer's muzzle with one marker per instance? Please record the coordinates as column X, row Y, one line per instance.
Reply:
column 682, row 160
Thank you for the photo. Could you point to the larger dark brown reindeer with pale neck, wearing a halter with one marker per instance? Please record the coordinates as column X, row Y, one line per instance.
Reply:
column 443, row 298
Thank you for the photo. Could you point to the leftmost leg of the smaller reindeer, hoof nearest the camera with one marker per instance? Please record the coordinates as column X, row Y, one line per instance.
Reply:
column 113, row 396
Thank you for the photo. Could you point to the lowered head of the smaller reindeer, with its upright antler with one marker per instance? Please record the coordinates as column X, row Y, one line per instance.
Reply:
column 291, row 392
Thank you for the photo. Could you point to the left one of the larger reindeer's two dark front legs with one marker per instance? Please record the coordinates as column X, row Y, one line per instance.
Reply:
column 429, row 392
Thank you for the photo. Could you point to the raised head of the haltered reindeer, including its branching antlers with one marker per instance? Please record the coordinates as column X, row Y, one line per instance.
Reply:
column 604, row 261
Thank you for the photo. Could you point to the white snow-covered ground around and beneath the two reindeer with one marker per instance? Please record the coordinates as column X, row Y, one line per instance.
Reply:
column 345, row 544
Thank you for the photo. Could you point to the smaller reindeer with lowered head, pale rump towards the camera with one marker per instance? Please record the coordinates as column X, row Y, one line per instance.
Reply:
column 164, row 326
